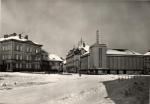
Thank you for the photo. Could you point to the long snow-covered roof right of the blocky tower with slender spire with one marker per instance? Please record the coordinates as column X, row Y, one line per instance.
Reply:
column 122, row 52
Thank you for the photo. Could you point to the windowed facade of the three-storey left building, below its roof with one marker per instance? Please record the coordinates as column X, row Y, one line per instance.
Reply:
column 20, row 56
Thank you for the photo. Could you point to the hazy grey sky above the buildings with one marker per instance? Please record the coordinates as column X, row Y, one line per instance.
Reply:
column 59, row 24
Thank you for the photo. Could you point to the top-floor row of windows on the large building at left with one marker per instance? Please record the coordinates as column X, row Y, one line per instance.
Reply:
column 20, row 48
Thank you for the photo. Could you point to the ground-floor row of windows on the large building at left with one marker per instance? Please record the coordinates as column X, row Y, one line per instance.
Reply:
column 27, row 65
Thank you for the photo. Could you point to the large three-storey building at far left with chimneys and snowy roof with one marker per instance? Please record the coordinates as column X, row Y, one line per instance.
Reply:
column 18, row 53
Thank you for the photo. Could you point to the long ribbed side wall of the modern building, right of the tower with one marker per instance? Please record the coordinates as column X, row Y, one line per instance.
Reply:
column 125, row 62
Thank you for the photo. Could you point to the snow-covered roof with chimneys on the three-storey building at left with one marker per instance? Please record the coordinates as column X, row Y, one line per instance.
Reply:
column 16, row 37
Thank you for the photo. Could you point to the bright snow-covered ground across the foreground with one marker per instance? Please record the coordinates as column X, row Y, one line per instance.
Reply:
column 25, row 88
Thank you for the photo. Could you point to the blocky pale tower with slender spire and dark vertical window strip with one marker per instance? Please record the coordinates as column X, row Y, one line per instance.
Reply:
column 98, row 54
